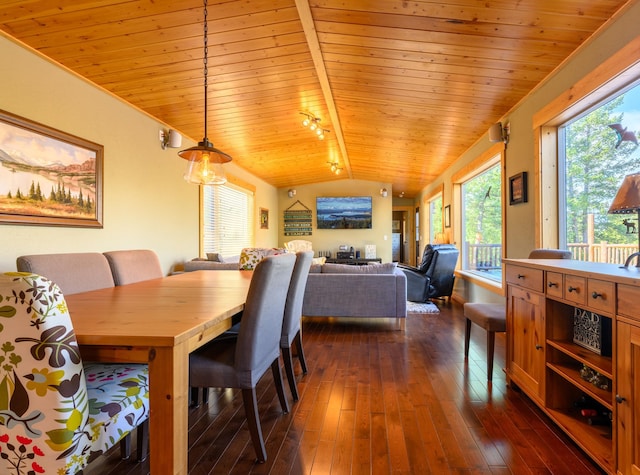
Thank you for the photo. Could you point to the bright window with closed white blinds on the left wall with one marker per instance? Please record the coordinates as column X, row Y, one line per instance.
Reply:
column 227, row 219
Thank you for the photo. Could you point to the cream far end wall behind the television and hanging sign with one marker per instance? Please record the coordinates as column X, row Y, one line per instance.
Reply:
column 331, row 239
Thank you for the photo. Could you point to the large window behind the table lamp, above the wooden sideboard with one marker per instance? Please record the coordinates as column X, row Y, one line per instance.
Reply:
column 596, row 150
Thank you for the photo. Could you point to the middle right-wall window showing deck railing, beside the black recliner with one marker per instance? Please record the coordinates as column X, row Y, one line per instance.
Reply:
column 481, row 205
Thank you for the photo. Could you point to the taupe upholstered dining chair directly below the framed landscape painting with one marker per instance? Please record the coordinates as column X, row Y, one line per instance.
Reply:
column 77, row 272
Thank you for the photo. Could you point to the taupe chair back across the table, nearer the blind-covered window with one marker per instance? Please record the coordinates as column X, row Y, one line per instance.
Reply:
column 131, row 266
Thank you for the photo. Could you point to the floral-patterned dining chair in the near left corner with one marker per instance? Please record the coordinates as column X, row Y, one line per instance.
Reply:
column 57, row 414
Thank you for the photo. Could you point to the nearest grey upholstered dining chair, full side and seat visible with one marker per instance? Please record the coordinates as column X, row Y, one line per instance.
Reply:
column 241, row 362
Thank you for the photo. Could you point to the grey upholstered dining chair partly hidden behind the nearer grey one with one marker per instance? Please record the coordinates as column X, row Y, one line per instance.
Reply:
column 291, row 327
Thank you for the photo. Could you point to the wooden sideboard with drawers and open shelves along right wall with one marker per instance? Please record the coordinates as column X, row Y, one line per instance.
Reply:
column 544, row 300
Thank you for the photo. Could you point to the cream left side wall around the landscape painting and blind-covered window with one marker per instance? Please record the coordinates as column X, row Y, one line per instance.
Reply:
column 146, row 202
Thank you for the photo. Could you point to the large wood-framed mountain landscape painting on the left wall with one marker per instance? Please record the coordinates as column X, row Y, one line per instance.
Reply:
column 48, row 177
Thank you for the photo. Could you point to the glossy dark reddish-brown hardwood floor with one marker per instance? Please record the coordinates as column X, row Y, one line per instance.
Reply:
column 378, row 401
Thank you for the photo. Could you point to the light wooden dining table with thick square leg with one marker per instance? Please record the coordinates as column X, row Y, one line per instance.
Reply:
column 159, row 322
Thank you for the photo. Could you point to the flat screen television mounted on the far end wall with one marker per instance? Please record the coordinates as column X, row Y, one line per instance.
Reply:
column 343, row 212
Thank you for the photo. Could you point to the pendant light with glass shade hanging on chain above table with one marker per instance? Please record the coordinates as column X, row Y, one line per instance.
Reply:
column 205, row 161
